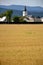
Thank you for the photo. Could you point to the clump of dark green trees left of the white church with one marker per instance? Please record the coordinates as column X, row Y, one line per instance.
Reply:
column 15, row 19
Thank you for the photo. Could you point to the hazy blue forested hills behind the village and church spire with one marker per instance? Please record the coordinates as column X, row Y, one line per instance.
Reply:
column 17, row 10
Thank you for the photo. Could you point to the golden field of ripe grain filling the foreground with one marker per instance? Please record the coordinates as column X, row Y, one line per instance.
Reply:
column 21, row 44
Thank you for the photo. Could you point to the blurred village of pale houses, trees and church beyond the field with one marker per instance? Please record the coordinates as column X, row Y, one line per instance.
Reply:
column 17, row 19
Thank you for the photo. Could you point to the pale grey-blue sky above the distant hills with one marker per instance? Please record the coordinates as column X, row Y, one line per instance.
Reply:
column 22, row 2
